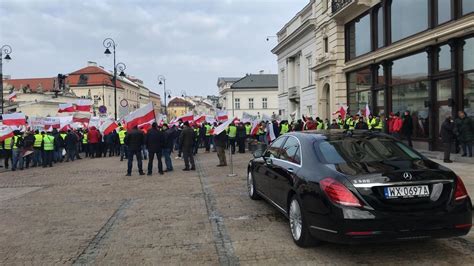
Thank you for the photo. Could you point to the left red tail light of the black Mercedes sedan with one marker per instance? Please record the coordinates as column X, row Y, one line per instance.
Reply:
column 338, row 193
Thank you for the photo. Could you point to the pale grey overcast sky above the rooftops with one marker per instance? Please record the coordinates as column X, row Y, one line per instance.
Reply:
column 191, row 42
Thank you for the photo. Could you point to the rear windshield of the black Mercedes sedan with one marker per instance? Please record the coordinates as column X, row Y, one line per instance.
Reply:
column 359, row 150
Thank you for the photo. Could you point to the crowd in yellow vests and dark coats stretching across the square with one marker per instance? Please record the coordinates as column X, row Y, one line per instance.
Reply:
column 46, row 148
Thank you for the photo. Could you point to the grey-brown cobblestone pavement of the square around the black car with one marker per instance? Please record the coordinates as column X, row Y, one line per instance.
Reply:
column 88, row 212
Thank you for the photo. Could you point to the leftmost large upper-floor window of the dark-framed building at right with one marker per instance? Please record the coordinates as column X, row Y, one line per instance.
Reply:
column 359, row 36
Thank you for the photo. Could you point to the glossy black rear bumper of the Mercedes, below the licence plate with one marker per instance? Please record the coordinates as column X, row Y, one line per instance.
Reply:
column 391, row 228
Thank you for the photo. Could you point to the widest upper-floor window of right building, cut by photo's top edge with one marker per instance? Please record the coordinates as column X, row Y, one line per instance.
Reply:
column 408, row 17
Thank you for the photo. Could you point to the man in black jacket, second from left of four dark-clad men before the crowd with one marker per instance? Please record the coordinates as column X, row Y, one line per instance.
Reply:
column 154, row 142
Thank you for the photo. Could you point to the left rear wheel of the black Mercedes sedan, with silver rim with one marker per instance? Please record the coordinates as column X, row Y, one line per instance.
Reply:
column 299, row 229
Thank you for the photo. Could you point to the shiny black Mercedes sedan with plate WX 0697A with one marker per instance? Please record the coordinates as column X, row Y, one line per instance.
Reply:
column 352, row 187
